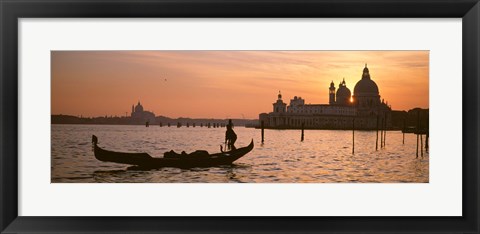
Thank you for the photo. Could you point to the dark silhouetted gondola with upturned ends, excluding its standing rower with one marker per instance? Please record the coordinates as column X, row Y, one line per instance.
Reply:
column 196, row 159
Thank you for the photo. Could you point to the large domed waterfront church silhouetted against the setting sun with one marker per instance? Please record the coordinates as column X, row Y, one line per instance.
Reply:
column 364, row 106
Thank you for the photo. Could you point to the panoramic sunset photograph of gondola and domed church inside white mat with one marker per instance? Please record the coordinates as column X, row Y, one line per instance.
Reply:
column 198, row 116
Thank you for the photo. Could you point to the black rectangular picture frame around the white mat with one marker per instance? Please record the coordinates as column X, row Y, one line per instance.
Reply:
column 11, row 11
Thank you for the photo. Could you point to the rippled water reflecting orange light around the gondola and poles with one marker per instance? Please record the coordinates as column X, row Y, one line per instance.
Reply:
column 324, row 157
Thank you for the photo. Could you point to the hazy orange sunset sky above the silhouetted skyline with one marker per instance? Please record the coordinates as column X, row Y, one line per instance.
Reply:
column 225, row 84
